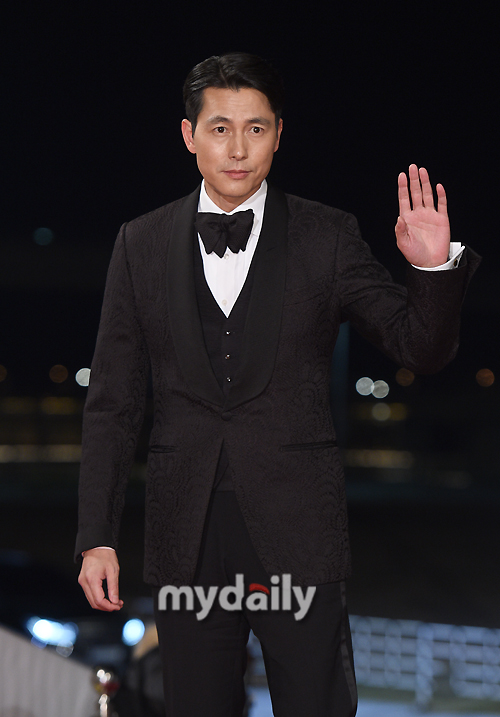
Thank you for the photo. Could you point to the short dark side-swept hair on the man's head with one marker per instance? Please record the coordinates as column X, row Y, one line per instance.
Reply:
column 233, row 71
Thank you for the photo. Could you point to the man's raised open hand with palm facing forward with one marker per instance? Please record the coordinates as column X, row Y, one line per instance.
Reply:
column 422, row 232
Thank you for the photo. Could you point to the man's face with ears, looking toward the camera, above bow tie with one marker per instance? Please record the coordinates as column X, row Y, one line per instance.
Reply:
column 234, row 142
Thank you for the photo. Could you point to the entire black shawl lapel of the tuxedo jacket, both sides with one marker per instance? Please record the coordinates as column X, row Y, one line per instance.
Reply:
column 262, row 326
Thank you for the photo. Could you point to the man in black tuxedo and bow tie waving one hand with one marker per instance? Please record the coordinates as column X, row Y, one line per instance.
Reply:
column 236, row 318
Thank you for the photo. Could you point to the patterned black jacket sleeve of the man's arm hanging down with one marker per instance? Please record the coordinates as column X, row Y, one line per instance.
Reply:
column 114, row 409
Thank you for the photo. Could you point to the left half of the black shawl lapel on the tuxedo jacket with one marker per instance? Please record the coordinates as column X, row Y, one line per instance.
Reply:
column 187, row 333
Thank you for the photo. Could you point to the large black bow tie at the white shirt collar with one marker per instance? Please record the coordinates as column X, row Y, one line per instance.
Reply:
column 220, row 231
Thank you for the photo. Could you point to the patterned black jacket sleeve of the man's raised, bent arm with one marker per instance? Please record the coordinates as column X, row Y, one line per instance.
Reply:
column 417, row 325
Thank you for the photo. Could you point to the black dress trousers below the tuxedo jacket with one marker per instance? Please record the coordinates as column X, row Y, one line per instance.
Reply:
column 308, row 662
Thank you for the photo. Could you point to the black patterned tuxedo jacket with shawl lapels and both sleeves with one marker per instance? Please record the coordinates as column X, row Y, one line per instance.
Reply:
column 312, row 272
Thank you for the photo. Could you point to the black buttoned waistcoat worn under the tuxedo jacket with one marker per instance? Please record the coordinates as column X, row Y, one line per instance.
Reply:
column 223, row 340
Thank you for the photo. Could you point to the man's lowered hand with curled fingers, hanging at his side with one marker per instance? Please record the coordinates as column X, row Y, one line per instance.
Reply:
column 100, row 564
